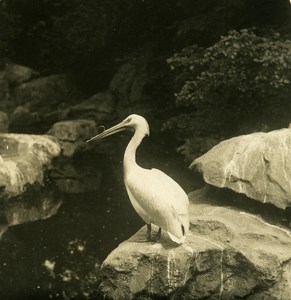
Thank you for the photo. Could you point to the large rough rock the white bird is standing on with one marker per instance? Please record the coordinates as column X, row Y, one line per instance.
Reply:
column 229, row 254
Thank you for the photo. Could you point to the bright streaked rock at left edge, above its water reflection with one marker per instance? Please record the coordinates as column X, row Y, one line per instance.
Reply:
column 24, row 160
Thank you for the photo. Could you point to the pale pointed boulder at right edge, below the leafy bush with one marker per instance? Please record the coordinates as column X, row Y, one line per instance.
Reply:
column 257, row 165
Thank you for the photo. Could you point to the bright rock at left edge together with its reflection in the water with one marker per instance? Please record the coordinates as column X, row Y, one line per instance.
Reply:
column 24, row 197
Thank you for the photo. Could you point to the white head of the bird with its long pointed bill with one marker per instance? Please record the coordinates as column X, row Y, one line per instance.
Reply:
column 132, row 122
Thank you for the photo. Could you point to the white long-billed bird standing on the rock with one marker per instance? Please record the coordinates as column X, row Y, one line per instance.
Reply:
column 155, row 196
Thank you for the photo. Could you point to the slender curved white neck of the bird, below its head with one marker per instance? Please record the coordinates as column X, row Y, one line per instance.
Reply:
column 129, row 159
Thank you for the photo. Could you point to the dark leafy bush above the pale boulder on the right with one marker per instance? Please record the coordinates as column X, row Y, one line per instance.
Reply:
column 242, row 81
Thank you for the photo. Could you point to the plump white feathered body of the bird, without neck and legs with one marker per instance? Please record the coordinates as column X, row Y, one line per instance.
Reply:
column 159, row 200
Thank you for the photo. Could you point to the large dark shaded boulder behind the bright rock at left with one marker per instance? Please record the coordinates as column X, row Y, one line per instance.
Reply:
column 41, row 102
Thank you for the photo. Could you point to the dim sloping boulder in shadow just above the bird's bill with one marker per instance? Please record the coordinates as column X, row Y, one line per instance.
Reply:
column 99, row 107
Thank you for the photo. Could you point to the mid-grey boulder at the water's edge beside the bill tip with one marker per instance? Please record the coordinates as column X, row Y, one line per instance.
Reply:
column 72, row 135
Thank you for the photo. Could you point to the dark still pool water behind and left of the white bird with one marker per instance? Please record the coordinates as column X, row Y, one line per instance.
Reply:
column 59, row 258
